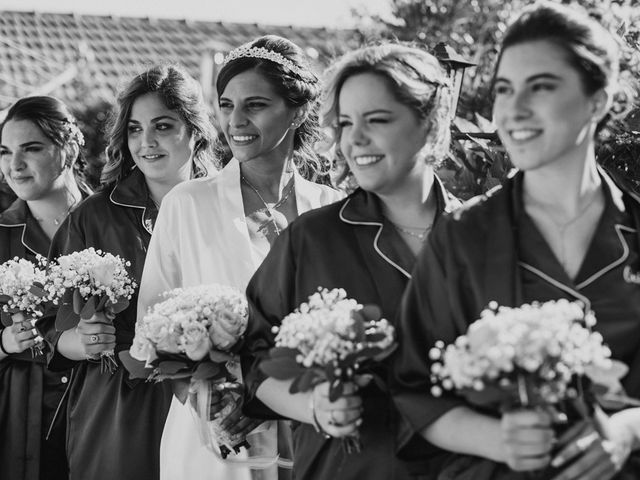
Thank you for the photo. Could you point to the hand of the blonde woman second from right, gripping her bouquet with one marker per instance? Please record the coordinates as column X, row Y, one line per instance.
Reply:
column 340, row 418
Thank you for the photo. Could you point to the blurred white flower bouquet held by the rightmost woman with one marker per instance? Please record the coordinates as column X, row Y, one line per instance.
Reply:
column 527, row 356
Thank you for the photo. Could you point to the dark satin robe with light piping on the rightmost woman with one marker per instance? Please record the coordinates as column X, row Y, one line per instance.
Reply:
column 491, row 250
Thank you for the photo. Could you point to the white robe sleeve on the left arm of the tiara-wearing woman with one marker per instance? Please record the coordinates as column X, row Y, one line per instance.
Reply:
column 162, row 269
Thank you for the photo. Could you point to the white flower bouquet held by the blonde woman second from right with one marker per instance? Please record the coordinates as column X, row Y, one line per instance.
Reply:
column 331, row 338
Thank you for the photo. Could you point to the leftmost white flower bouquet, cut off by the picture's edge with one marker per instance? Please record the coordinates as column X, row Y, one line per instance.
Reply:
column 22, row 289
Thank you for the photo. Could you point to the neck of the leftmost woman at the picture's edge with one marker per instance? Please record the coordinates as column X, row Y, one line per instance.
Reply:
column 53, row 207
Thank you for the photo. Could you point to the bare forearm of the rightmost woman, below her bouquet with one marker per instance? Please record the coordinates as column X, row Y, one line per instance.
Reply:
column 461, row 430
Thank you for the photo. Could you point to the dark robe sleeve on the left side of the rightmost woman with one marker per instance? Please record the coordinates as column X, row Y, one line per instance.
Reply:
column 427, row 313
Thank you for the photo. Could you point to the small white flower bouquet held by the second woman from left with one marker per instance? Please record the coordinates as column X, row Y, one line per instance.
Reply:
column 92, row 281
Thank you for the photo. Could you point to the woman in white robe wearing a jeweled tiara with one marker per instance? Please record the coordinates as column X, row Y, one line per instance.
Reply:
column 218, row 230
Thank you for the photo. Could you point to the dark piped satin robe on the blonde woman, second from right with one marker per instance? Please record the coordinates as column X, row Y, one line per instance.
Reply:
column 346, row 245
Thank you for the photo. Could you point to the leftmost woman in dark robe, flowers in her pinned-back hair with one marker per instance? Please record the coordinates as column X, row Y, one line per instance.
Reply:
column 40, row 144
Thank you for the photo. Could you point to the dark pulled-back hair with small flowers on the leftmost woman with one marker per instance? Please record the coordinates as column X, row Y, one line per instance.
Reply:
column 57, row 123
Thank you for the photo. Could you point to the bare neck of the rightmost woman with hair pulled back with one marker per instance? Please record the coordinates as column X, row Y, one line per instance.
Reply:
column 565, row 185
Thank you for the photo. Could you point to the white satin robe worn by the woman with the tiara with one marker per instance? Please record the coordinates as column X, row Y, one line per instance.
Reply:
column 202, row 237
